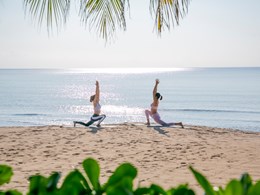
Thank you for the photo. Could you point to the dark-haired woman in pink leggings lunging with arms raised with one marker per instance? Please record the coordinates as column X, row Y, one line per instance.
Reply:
column 154, row 106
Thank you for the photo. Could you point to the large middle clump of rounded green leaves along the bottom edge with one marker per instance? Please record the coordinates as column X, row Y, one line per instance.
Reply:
column 119, row 183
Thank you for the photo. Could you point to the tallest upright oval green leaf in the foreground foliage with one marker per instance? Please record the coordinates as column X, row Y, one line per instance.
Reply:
column 92, row 170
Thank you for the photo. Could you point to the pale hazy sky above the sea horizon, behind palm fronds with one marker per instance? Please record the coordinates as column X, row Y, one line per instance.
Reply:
column 213, row 34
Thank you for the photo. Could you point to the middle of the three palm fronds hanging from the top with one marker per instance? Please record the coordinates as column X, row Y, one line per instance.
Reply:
column 104, row 15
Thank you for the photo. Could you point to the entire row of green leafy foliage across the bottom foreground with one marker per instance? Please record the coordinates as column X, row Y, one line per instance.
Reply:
column 120, row 183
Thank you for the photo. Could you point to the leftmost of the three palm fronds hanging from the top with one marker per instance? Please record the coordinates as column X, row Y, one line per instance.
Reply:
column 49, row 11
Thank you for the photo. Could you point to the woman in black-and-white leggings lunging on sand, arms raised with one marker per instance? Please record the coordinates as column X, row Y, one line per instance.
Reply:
column 97, row 110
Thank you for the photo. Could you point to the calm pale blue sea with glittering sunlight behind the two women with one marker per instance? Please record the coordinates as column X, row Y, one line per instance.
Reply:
column 217, row 97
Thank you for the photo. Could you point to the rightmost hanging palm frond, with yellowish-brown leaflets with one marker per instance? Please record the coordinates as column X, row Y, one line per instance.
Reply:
column 168, row 12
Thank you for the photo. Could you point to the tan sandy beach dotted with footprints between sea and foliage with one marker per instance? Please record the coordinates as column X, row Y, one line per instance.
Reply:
column 162, row 155
